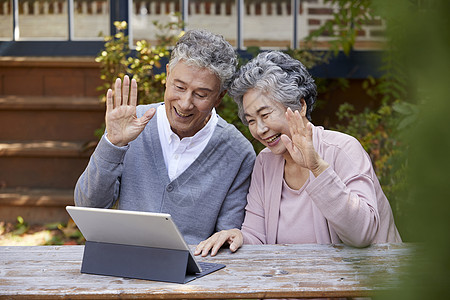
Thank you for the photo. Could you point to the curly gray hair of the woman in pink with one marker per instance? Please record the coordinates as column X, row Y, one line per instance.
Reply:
column 280, row 77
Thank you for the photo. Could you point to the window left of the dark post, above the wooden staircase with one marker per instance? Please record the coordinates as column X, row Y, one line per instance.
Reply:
column 54, row 20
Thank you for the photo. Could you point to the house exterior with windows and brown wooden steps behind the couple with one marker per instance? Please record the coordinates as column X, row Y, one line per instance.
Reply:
column 49, row 107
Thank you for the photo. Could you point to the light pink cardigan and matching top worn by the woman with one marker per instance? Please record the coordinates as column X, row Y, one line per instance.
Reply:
column 346, row 201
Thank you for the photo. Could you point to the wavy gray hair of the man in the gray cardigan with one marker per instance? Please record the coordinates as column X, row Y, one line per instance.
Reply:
column 206, row 50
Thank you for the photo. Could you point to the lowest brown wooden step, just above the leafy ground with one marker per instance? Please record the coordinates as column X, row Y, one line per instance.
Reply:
column 35, row 206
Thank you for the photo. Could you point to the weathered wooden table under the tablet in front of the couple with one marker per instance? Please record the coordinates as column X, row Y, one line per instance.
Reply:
column 266, row 271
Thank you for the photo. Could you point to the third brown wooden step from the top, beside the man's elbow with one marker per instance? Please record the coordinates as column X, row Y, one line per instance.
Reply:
column 43, row 164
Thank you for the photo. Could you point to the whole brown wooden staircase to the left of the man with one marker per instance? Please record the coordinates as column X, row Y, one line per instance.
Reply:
column 49, row 111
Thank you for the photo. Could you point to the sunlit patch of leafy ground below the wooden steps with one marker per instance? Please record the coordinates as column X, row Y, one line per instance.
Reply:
column 23, row 234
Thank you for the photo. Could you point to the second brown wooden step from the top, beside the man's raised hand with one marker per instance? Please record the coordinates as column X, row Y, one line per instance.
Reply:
column 50, row 118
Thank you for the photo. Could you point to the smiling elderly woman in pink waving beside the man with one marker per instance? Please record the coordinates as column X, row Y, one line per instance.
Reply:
column 309, row 185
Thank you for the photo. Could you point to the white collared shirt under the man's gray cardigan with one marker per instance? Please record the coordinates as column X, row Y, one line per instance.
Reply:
column 180, row 154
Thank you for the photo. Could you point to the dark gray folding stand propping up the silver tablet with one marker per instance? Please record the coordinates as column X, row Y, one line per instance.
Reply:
column 136, row 262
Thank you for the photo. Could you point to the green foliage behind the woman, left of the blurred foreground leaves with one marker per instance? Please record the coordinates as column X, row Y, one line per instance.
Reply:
column 381, row 130
